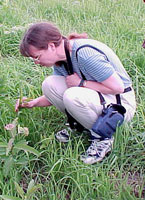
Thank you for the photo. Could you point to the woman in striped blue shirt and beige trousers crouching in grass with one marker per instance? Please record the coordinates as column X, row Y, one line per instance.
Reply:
column 101, row 68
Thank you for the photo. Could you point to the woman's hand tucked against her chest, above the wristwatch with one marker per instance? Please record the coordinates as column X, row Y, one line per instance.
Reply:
column 73, row 80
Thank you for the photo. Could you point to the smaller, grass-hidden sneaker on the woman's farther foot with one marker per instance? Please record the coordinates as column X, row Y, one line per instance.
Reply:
column 63, row 135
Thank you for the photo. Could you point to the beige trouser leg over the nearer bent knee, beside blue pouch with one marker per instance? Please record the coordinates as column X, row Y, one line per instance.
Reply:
column 78, row 103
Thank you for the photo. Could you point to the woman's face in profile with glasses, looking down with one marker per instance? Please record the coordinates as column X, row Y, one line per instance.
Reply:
column 46, row 57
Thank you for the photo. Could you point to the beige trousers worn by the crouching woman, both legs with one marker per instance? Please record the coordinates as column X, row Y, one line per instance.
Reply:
column 83, row 103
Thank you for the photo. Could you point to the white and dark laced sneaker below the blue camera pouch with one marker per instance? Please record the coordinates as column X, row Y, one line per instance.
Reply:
column 97, row 150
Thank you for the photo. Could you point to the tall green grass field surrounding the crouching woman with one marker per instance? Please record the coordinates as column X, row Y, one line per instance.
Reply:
column 56, row 168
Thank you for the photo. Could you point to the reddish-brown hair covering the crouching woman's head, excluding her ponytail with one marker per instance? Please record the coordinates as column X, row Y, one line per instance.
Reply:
column 39, row 35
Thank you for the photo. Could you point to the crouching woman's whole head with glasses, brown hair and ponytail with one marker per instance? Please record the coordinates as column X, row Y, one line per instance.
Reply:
column 44, row 43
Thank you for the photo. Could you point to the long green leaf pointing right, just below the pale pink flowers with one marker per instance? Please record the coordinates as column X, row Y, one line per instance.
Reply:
column 27, row 148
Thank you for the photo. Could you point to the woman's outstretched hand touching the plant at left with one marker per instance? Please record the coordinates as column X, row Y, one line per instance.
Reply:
column 24, row 103
